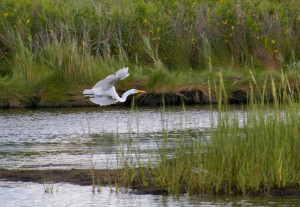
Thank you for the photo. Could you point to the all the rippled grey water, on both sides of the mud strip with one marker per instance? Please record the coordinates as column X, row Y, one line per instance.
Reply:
column 77, row 137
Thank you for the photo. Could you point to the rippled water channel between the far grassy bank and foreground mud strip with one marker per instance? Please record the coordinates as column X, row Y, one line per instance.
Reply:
column 66, row 138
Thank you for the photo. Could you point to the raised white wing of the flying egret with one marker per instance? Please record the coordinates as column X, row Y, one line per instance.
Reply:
column 110, row 80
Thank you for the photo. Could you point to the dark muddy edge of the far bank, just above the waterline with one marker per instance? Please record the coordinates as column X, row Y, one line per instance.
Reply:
column 189, row 96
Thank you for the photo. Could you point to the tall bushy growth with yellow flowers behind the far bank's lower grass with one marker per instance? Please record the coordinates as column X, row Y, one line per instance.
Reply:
column 191, row 34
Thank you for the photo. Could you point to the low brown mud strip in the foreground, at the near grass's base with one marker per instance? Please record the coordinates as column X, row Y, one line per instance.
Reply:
column 108, row 177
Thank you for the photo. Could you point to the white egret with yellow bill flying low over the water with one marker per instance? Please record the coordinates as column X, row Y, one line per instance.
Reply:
column 104, row 93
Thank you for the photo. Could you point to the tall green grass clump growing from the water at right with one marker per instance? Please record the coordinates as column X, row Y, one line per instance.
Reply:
column 250, row 152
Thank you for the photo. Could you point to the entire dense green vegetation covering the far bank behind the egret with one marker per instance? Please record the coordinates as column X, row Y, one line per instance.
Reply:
column 50, row 47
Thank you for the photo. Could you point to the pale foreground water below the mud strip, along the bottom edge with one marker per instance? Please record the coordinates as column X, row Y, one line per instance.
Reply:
column 33, row 194
